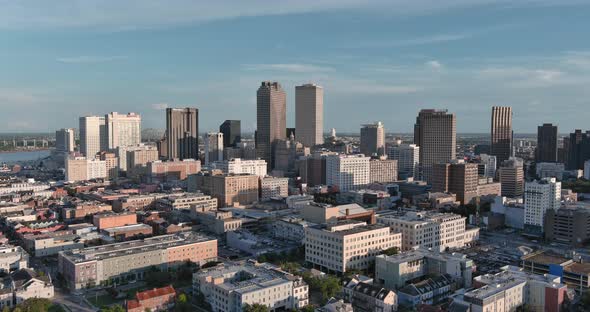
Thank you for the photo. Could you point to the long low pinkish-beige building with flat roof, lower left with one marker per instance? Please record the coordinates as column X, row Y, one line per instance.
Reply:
column 133, row 259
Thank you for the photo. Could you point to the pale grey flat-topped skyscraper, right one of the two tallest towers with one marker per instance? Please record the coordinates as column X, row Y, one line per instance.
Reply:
column 309, row 114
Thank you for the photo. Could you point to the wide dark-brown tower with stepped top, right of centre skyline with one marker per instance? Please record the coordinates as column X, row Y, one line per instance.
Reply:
column 435, row 132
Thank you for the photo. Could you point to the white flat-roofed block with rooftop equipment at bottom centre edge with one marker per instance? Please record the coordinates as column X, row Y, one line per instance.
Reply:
column 230, row 286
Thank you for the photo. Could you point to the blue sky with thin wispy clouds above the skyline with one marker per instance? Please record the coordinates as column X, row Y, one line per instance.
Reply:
column 377, row 60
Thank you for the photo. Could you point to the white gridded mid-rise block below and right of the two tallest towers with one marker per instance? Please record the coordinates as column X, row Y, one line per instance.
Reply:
column 347, row 172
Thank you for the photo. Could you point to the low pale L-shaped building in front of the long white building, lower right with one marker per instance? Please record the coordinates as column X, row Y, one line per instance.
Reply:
column 395, row 271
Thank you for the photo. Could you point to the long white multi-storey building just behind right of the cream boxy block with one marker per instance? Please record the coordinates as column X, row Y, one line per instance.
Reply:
column 428, row 229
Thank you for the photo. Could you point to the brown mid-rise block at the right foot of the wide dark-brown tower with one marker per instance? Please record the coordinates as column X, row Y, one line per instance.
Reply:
column 459, row 178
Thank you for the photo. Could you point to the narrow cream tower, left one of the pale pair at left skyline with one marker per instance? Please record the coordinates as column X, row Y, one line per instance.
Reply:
column 93, row 136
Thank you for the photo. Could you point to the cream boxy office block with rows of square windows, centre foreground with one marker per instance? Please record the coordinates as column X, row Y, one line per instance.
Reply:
column 347, row 245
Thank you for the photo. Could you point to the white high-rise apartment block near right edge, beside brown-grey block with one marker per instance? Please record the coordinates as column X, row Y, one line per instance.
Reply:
column 540, row 196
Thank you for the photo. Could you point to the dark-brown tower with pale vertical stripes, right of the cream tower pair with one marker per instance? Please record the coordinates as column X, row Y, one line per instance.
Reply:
column 182, row 133
